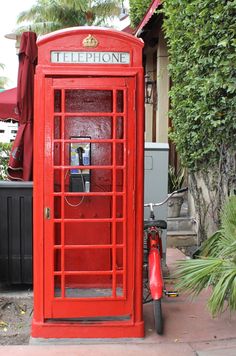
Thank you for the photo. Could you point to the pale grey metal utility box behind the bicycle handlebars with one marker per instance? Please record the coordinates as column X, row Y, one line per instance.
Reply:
column 156, row 181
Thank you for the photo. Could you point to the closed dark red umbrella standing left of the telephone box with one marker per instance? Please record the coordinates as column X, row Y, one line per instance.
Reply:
column 21, row 157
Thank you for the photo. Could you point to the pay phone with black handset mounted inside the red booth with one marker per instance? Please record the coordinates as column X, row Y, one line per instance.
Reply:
column 80, row 155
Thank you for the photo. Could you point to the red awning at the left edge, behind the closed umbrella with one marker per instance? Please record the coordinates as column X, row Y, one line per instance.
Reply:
column 8, row 104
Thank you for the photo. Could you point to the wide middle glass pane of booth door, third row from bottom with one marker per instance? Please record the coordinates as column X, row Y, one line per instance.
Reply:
column 88, row 233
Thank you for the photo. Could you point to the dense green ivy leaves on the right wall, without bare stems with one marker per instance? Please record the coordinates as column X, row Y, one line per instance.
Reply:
column 202, row 48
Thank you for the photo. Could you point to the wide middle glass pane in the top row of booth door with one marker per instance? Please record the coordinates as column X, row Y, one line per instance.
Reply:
column 88, row 100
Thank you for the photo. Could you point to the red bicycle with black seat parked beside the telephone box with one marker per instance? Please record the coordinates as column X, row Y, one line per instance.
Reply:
column 153, row 245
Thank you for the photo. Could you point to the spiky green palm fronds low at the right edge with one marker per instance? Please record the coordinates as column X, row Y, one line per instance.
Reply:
column 215, row 265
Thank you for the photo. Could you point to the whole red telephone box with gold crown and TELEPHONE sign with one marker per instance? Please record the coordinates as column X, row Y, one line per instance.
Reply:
column 88, row 185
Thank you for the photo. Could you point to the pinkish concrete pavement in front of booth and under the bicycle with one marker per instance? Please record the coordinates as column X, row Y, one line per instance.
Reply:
column 189, row 330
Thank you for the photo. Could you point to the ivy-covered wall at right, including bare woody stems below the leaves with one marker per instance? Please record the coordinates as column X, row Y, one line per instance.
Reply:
column 201, row 37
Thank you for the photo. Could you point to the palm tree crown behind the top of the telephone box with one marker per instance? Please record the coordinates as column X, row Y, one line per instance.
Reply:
column 50, row 15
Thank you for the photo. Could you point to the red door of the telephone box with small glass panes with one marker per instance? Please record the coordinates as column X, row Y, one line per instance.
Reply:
column 88, row 196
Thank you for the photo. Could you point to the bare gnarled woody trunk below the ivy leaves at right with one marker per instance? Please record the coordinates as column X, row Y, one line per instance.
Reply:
column 209, row 189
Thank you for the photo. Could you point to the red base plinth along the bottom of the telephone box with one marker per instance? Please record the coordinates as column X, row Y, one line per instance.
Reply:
column 109, row 330
